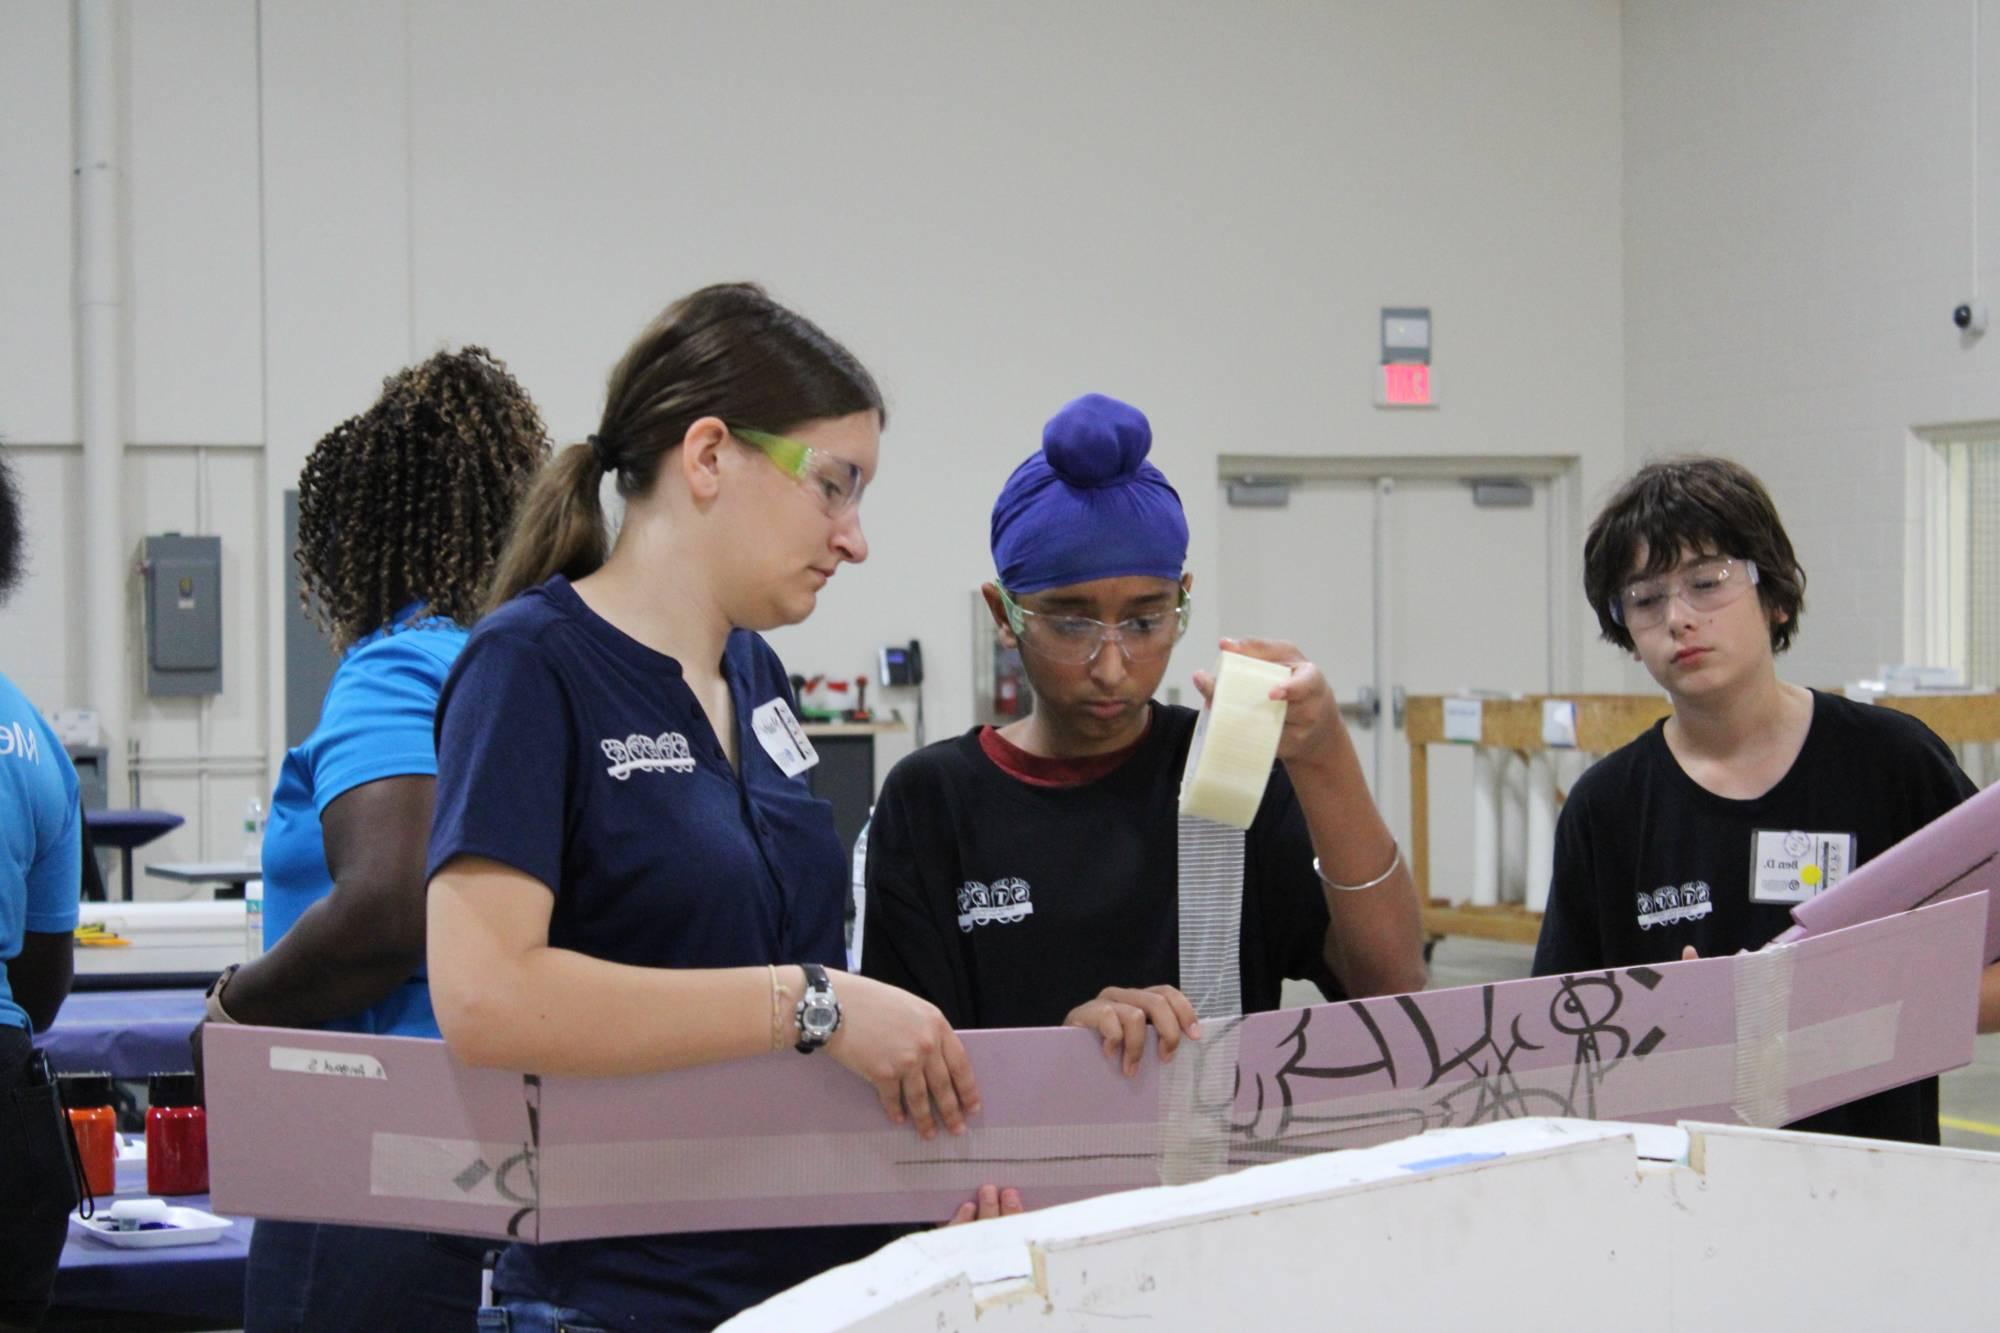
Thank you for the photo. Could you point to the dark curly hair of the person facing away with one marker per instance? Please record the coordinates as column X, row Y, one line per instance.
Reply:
column 415, row 497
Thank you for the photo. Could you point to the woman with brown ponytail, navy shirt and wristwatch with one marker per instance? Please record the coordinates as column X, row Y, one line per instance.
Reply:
column 629, row 872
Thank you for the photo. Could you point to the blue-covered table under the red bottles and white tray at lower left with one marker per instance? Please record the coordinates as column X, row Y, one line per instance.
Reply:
column 191, row 1282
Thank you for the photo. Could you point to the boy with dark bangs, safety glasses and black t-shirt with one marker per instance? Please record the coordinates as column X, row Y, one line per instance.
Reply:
column 1693, row 573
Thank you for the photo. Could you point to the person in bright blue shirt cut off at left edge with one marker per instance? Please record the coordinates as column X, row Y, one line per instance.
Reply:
column 41, row 880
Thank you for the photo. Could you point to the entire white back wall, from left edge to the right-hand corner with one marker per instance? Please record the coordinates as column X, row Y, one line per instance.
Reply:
column 995, row 205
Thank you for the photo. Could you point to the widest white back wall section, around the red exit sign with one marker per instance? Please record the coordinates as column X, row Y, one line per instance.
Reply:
column 1001, row 207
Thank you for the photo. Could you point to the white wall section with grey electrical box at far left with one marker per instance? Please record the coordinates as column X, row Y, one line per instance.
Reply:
column 193, row 405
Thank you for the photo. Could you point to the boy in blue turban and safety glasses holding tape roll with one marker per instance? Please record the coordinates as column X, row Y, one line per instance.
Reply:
column 1029, row 876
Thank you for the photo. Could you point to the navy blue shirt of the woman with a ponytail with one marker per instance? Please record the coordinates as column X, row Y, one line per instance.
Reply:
column 581, row 758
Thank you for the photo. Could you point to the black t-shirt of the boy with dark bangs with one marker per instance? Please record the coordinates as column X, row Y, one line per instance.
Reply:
column 1649, row 862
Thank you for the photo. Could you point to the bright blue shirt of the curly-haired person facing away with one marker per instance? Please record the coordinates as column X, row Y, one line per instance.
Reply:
column 375, row 724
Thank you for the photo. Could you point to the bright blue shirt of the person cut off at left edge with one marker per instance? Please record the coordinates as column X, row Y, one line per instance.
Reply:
column 41, row 838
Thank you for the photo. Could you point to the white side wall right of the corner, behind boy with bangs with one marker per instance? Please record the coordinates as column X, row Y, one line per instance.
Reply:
column 1799, row 227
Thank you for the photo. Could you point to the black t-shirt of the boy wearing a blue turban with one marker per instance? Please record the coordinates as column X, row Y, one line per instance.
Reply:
column 1007, row 906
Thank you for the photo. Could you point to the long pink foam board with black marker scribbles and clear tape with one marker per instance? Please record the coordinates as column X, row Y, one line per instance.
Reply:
column 393, row 1132
